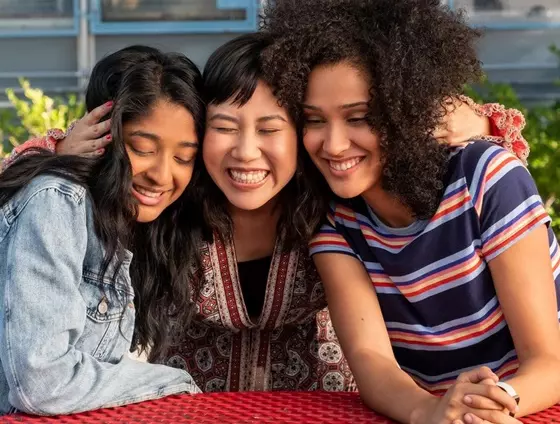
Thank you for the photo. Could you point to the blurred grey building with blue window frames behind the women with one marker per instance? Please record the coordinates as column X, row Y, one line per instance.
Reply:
column 54, row 43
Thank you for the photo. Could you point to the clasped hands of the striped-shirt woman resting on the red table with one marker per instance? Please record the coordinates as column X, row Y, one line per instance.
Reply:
column 452, row 409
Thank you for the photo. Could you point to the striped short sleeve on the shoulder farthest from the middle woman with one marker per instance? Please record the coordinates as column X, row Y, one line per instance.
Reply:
column 506, row 200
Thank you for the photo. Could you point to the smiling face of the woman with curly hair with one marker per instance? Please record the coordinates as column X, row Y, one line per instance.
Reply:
column 337, row 134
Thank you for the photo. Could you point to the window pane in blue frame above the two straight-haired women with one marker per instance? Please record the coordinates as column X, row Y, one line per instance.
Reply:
column 168, row 10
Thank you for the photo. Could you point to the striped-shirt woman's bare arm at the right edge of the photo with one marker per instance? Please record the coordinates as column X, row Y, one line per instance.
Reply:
column 523, row 279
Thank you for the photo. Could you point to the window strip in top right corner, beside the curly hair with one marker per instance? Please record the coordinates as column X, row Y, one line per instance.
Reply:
column 514, row 14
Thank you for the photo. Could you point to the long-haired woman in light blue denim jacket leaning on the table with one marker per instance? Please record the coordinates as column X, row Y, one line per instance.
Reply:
column 69, row 229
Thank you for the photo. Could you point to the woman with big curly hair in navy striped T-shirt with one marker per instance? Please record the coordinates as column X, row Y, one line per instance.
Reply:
column 441, row 272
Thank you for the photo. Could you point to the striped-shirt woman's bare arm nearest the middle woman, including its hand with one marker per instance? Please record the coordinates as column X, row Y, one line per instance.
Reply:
column 383, row 386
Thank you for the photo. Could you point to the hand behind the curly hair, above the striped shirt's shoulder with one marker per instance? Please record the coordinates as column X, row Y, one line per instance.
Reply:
column 460, row 124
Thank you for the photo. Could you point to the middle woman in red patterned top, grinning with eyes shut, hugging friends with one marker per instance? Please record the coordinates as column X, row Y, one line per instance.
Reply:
column 260, row 321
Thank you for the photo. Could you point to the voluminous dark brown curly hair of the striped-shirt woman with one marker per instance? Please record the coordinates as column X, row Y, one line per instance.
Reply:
column 417, row 55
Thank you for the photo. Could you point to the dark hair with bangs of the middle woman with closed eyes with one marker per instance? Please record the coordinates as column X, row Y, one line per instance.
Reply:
column 231, row 74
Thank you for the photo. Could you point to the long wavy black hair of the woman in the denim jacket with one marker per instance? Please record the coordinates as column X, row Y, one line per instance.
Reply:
column 165, row 250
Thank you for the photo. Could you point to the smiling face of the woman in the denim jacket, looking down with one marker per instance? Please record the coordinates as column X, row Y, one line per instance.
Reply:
column 161, row 148
